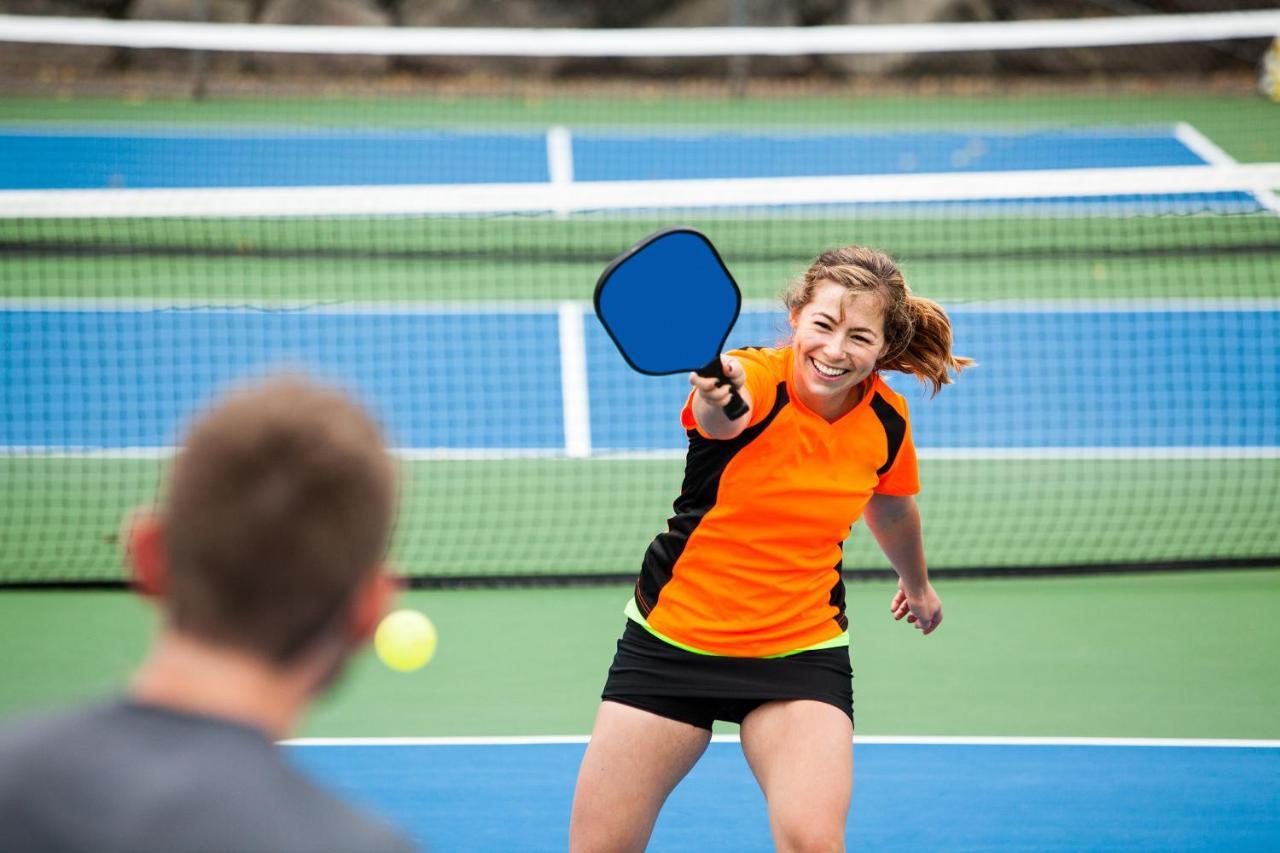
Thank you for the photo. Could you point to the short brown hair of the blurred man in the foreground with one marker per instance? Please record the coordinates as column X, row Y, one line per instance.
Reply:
column 280, row 505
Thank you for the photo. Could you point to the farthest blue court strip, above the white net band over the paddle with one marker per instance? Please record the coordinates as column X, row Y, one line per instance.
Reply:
column 131, row 158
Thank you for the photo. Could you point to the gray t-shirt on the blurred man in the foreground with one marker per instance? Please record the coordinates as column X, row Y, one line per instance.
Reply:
column 129, row 778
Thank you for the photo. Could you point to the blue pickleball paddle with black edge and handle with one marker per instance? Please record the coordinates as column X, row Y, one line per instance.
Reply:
column 669, row 303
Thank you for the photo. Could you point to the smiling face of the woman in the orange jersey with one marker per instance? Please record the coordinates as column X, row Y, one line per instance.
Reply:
column 838, row 340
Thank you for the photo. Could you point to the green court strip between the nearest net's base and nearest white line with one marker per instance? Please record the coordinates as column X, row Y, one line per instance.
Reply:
column 1176, row 656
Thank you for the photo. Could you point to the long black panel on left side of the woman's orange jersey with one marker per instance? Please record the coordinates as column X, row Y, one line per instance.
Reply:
column 705, row 464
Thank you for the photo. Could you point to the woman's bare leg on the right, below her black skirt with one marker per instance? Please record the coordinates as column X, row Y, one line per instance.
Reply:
column 802, row 754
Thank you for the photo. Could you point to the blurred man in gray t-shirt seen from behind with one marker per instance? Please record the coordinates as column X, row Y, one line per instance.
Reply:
column 266, row 560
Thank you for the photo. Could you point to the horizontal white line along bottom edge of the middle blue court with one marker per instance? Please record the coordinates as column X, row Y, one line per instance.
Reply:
column 582, row 445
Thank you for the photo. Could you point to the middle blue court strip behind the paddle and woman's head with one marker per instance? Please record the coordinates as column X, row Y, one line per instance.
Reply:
column 1048, row 378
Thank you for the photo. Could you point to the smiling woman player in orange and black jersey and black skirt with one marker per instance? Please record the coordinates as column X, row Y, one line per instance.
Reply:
column 739, row 613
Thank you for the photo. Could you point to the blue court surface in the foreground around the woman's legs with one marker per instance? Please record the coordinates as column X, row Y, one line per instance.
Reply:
column 927, row 796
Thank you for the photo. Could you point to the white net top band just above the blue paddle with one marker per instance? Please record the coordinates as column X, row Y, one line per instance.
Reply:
column 478, row 199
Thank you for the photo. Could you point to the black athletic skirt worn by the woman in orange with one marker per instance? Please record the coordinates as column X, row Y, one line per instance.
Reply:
column 698, row 690
